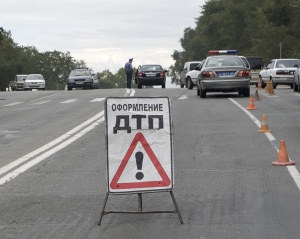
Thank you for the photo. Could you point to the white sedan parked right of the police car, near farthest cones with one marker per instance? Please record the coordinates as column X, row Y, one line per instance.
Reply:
column 280, row 72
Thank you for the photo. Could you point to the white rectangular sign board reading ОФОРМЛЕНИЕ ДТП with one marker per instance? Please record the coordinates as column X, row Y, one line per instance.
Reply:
column 139, row 144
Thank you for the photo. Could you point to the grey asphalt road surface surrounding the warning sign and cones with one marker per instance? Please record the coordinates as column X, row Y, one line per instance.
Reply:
column 53, row 167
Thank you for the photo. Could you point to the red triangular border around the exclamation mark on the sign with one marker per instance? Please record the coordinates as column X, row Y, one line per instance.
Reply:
column 139, row 138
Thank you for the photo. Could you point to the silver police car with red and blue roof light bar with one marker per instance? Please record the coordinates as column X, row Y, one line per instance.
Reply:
column 223, row 71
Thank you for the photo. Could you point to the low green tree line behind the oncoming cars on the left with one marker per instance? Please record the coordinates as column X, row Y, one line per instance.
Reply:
column 55, row 66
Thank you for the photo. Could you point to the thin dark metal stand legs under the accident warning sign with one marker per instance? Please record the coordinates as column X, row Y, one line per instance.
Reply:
column 140, row 208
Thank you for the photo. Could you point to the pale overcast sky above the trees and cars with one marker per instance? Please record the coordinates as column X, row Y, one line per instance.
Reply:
column 105, row 34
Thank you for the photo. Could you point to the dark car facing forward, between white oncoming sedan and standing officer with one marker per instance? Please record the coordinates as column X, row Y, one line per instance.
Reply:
column 81, row 77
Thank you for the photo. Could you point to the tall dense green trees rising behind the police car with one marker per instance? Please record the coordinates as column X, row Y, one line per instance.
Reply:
column 252, row 27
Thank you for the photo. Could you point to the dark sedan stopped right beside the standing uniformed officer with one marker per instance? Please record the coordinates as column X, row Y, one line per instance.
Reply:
column 150, row 75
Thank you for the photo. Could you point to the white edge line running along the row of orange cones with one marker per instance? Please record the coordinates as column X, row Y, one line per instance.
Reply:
column 291, row 168
